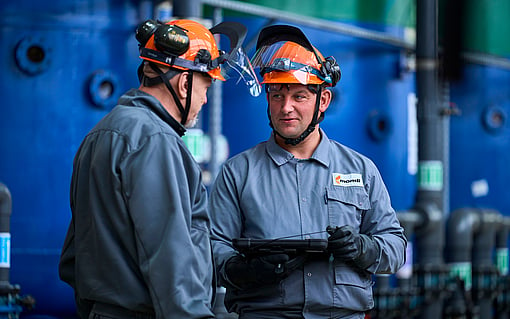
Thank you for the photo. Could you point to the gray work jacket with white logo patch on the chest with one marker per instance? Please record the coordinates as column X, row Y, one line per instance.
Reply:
column 265, row 192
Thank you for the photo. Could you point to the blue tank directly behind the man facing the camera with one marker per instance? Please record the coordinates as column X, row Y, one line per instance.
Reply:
column 370, row 110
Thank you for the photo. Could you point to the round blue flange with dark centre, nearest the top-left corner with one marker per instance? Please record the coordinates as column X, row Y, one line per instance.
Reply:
column 33, row 55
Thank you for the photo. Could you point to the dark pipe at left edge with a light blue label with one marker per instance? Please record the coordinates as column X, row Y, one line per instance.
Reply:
column 5, row 237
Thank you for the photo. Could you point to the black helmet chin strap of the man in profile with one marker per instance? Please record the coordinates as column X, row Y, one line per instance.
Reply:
column 164, row 78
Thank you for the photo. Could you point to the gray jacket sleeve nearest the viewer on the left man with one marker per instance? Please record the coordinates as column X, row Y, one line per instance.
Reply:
column 168, row 206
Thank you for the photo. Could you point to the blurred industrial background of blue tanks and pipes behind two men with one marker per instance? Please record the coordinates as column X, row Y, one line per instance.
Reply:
column 425, row 93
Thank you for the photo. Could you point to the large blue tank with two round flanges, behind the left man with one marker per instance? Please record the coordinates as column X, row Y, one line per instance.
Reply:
column 64, row 64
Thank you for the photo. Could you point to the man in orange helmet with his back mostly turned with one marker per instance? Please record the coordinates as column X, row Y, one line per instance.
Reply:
column 138, row 245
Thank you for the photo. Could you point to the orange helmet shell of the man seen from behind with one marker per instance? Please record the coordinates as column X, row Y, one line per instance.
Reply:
column 199, row 38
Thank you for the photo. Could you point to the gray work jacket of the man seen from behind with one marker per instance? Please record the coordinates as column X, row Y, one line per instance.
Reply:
column 139, row 235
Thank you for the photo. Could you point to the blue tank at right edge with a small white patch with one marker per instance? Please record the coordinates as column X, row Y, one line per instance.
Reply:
column 480, row 139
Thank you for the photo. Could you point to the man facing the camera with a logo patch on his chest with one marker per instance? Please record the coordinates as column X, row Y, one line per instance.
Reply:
column 299, row 184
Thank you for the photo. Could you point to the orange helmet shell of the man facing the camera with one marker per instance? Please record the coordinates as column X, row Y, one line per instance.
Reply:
column 295, row 53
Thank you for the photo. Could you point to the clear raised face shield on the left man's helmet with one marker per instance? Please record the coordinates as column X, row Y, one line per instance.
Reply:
column 235, row 64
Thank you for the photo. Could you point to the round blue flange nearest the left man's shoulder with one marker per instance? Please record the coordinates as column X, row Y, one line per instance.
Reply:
column 103, row 89
